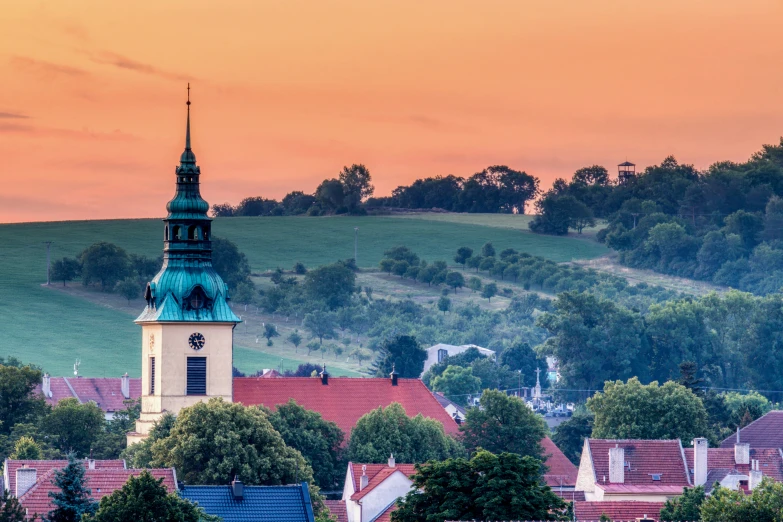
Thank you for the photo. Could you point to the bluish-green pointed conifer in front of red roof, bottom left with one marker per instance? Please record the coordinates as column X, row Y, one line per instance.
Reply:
column 72, row 498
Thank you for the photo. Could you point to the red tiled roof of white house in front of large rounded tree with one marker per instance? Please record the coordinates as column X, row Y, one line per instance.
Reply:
column 646, row 457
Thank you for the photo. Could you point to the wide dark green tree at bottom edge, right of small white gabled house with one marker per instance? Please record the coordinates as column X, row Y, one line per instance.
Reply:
column 486, row 487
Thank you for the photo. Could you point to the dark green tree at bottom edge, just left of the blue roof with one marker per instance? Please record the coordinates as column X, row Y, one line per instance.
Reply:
column 145, row 499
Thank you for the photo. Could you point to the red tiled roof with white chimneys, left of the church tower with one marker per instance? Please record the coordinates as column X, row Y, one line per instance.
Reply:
column 105, row 392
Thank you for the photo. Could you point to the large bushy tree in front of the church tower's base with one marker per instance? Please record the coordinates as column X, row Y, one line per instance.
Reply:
column 214, row 442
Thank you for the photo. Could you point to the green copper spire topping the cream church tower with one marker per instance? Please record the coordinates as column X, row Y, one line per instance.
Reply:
column 187, row 288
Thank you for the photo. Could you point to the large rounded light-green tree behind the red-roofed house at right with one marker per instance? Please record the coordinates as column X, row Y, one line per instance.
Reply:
column 632, row 410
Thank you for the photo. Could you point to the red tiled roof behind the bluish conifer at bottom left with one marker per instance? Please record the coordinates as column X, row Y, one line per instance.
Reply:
column 101, row 482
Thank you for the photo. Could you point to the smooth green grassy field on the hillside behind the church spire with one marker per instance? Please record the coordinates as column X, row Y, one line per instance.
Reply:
column 53, row 328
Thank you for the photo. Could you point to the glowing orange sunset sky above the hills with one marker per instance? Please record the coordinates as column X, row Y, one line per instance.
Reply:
column 286, row 92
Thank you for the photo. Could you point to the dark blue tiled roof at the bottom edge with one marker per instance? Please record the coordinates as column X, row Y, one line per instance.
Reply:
column 259, row 503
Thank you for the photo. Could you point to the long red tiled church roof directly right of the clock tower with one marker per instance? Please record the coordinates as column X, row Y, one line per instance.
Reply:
column 344, row 400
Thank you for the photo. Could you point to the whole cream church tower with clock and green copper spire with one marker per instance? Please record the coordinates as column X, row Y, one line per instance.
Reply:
column 187, row 325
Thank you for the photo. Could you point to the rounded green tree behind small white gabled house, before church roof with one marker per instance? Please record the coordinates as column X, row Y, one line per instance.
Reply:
column 386, row 431
